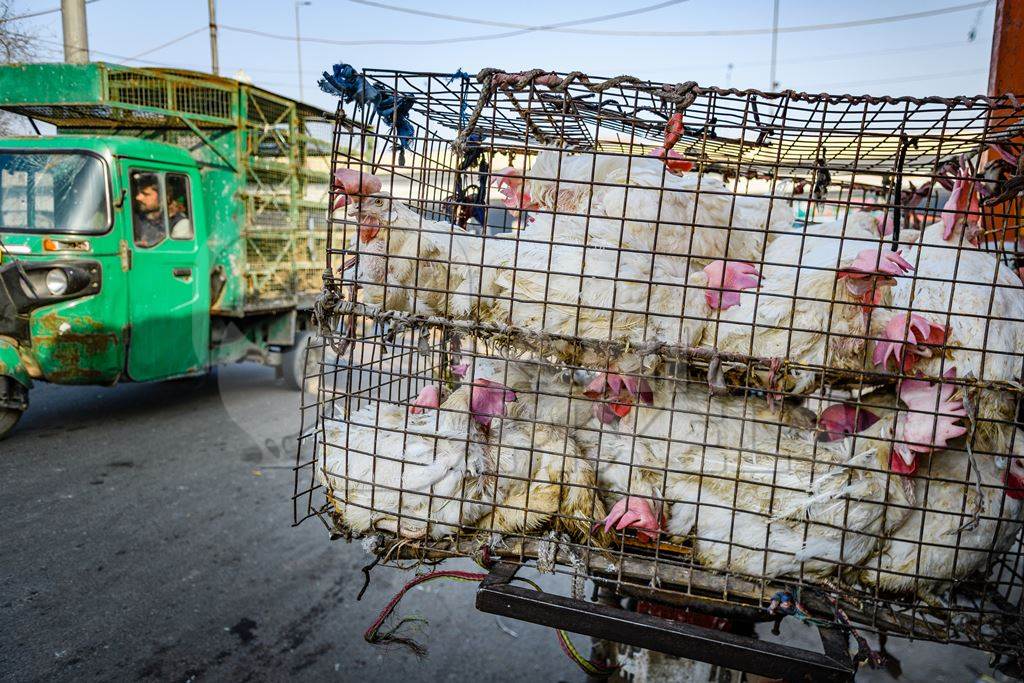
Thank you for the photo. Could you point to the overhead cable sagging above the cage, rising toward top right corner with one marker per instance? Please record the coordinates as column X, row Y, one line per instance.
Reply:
column 682, row 34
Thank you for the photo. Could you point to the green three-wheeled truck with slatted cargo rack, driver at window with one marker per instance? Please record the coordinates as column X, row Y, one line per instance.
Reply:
column 176, row 222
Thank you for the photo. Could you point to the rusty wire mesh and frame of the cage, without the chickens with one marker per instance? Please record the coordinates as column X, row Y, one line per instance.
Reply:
column 836, row 156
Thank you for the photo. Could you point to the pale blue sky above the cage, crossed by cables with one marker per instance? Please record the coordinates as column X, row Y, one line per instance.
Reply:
column 929, row 56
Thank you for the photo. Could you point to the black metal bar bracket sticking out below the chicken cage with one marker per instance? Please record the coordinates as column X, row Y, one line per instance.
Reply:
column 497, row 596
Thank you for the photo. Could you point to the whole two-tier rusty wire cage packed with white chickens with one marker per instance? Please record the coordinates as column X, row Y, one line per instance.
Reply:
column 776, row 339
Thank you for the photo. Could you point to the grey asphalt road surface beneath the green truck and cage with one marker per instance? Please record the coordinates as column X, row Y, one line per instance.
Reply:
column 148, row 535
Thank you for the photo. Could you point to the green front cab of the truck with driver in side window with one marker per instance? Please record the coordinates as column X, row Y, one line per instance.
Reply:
column 100, row 283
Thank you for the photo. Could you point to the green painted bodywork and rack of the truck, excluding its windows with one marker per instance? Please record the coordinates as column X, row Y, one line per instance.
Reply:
column 260, row 185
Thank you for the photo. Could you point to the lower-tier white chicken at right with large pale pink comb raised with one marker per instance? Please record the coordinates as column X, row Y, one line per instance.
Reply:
column 821, row 506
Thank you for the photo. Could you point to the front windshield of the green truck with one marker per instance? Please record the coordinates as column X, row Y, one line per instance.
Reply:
column 54, row 193
